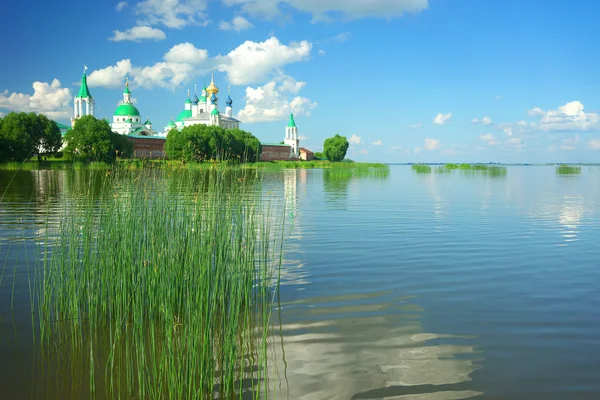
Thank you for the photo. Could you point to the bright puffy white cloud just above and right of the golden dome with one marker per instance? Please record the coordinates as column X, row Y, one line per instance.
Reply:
column 252, row 62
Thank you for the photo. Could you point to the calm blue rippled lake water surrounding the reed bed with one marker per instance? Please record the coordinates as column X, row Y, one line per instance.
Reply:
column 410, row 286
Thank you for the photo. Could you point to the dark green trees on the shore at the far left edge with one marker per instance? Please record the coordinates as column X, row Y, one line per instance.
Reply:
column 24, row 134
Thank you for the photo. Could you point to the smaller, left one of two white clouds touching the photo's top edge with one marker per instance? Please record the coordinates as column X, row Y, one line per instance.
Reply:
column 173, row 13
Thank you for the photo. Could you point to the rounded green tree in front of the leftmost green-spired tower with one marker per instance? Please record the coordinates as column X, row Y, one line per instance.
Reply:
column 90, row 139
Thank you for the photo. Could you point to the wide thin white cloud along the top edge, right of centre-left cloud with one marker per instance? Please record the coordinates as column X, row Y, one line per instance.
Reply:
column 324, row 10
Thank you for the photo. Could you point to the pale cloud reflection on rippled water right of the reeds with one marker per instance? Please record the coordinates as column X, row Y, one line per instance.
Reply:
column 368, row 357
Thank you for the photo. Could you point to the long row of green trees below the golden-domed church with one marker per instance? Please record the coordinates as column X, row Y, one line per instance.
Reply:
column 199, row 143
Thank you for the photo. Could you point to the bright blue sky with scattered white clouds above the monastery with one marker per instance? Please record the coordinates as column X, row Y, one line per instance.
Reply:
column 514, row 81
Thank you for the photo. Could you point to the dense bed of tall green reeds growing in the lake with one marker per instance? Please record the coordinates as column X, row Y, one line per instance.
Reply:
column 159, row 285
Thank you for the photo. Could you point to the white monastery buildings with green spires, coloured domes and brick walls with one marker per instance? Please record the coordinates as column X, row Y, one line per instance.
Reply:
column 149, row 143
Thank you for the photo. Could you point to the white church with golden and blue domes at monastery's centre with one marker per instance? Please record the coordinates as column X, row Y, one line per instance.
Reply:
column 205, row 110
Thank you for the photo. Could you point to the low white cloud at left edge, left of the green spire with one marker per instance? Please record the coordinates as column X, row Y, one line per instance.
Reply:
column 51, row 100
